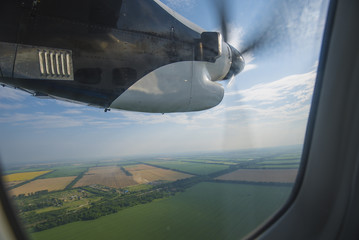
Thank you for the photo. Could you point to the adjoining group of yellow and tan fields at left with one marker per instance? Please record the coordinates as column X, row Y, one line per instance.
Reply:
column 109, row 176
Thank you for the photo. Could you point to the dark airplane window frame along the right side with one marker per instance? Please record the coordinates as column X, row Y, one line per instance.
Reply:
column 325, row 206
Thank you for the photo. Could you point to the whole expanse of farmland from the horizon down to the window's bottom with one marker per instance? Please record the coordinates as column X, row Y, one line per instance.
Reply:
column 213, row 196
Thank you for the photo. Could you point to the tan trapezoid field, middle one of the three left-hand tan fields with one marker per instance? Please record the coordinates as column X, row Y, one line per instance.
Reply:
column 111, row 176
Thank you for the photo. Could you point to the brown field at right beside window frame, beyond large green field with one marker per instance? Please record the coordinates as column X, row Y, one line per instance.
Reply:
column 261, row 175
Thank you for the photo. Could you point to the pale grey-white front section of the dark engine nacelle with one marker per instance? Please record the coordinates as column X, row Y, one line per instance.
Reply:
column 176, row 87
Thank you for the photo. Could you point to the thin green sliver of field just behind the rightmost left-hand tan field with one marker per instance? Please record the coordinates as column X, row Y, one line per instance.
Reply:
column 190, row 167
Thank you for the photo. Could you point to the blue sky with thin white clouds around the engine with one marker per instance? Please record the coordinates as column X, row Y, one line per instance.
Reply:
column 266, row 105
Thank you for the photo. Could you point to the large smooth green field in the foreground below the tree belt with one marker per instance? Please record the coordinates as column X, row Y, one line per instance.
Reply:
column 205, row 211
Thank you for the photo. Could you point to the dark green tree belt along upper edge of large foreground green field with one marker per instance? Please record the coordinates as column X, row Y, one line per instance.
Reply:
column 111, row 202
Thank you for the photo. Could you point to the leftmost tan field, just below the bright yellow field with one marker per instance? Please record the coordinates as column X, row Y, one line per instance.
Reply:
column 50, row 184
